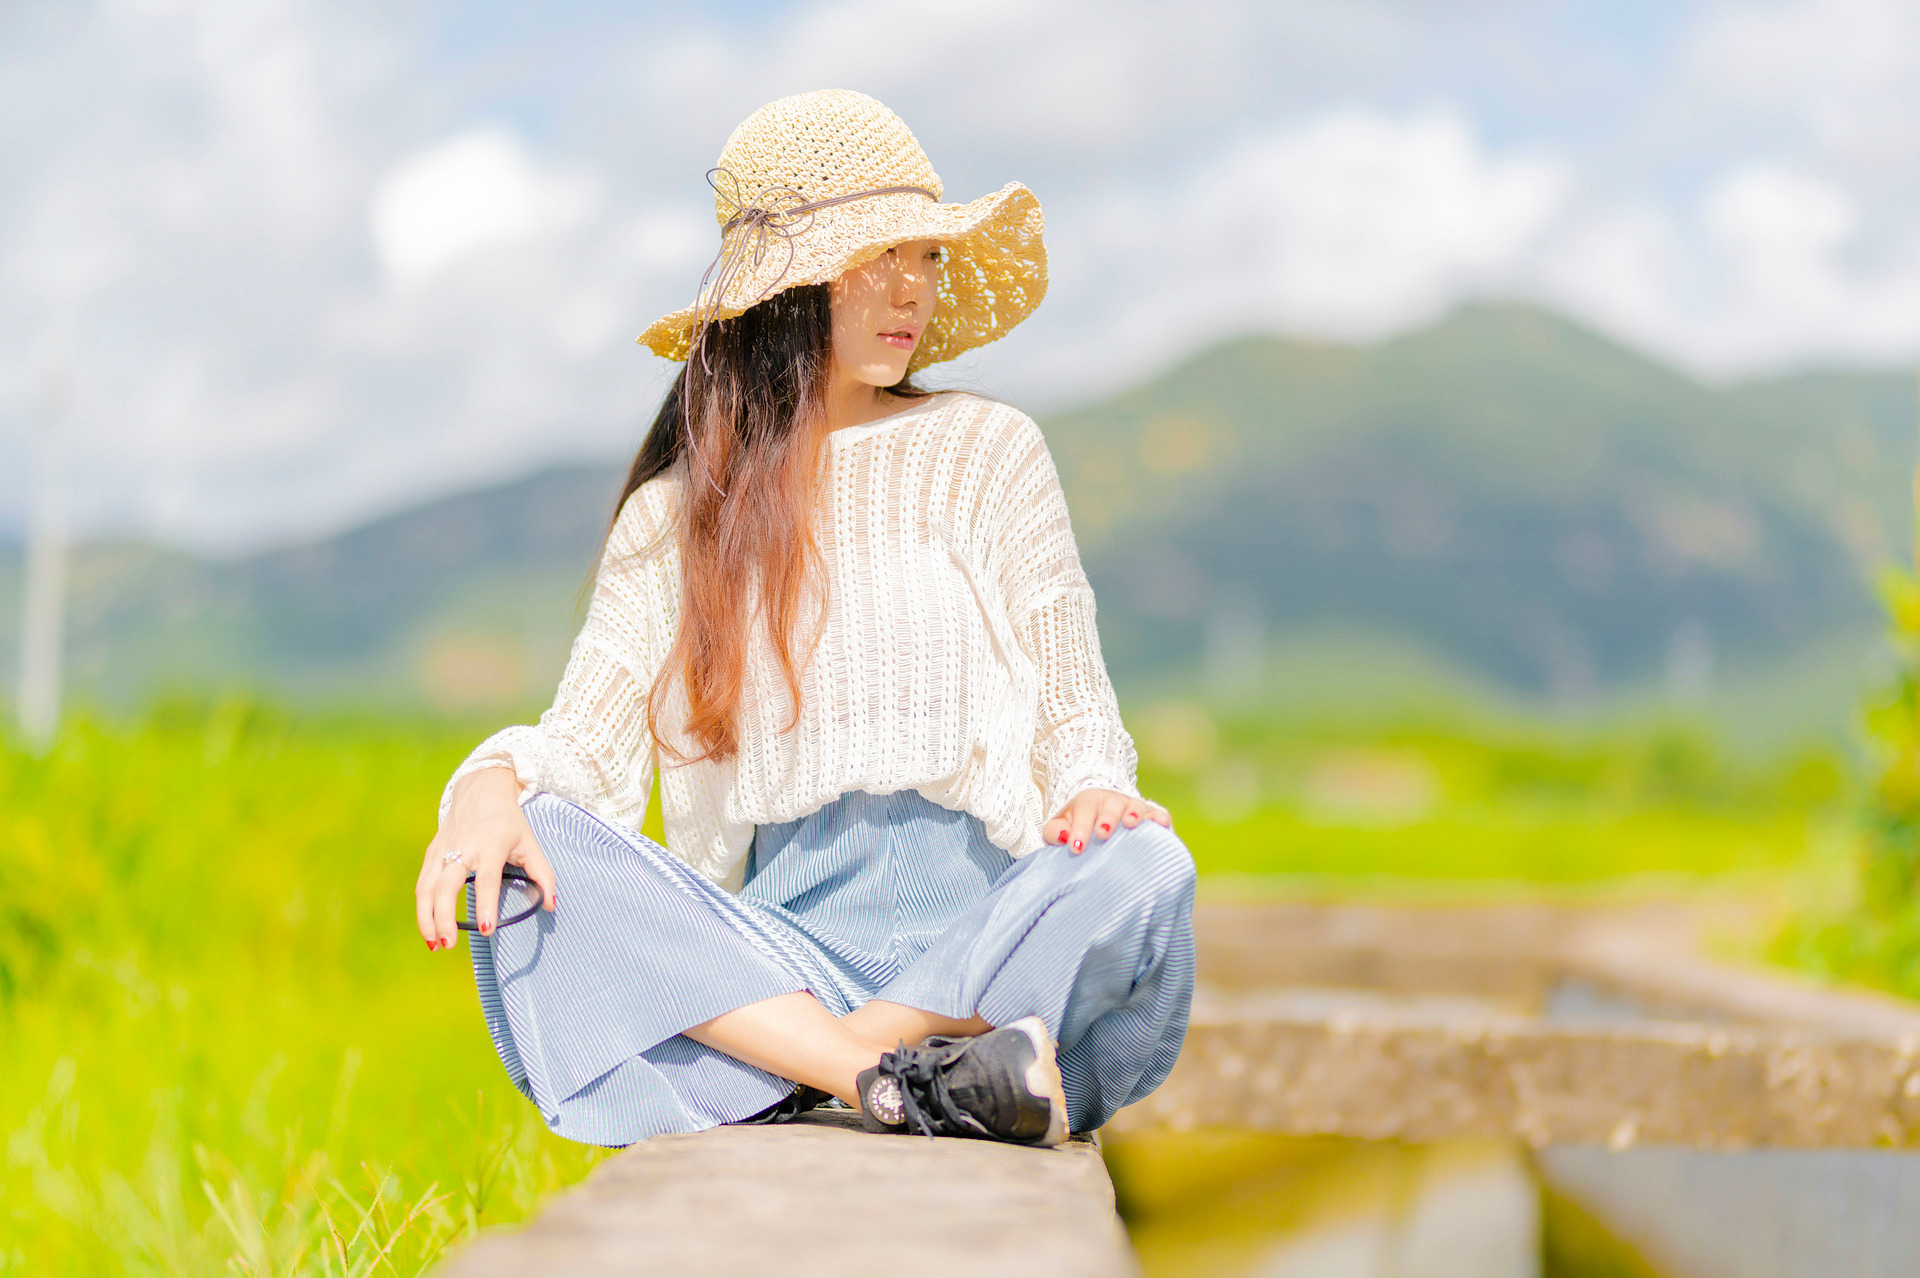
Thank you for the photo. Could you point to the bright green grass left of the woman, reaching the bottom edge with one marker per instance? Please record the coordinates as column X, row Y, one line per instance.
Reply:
column 226, row 1051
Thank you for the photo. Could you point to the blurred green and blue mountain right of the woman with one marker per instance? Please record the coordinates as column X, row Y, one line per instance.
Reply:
column 1547, row 509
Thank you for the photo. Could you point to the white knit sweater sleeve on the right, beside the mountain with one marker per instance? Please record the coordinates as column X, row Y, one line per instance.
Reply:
column 1080, row 742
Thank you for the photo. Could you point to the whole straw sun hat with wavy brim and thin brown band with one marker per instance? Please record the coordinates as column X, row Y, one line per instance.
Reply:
column 819, row 183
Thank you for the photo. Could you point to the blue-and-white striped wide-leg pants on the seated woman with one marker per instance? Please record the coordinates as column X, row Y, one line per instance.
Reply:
column 871, row 897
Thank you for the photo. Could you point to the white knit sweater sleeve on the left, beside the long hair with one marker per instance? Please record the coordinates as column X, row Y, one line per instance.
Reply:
column 592, row 747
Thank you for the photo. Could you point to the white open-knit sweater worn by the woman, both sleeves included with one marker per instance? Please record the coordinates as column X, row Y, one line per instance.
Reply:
column 959, row 653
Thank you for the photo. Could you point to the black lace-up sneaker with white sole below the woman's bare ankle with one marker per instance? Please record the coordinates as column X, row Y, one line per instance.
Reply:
column 1003, row 1085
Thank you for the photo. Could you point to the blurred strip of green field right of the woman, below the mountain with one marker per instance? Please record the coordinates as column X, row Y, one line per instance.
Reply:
column 1437, row 809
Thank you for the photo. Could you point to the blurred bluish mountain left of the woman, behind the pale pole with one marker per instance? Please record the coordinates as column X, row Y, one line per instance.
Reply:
column 464, row 603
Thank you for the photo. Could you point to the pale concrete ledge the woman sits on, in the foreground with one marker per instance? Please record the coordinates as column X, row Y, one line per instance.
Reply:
column 821, row 1198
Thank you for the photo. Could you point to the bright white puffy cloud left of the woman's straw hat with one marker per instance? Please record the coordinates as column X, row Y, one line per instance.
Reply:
column 471, row 193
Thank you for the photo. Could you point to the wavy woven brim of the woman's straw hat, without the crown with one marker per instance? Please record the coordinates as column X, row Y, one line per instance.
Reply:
column 994, row 277
